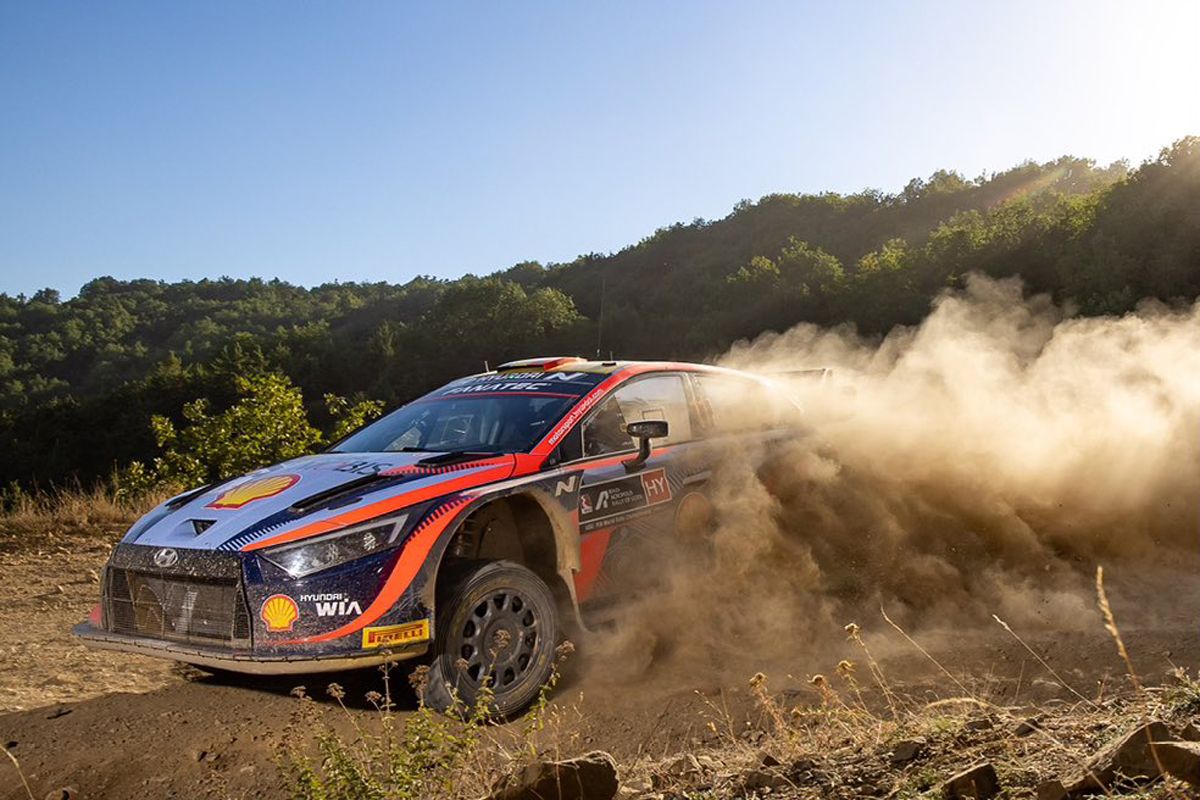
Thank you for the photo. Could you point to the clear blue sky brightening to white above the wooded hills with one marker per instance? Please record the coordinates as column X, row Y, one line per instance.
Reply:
column 380, row 141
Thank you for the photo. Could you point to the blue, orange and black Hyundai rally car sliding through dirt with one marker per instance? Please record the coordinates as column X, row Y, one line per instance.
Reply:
column 471, row 527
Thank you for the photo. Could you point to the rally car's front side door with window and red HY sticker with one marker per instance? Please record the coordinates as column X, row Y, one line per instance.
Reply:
column 626, row 510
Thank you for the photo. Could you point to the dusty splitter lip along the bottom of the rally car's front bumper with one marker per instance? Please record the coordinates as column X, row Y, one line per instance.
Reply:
column 243, row 663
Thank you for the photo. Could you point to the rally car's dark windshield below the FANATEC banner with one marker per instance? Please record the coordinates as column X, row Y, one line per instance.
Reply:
column 478, row 414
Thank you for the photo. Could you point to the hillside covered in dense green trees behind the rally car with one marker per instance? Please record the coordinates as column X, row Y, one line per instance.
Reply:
column 81, row 378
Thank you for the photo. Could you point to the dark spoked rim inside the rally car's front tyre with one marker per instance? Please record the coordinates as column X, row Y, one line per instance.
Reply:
column 500, row 641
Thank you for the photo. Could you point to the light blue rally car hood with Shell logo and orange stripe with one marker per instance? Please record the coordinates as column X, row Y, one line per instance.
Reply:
column 268, row 502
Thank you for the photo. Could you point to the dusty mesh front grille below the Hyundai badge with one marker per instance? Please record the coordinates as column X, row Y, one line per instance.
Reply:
column 177, row 607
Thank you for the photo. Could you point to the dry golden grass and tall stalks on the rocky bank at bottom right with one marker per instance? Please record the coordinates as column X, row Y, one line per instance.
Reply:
column 841, row 738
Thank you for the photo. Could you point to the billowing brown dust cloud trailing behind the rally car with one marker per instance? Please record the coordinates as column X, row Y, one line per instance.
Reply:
column 982, row 464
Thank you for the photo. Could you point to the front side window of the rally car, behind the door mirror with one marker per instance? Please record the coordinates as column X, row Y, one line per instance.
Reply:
column 659, row 398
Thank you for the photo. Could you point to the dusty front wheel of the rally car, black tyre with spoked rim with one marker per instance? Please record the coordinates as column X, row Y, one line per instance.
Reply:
column 497, row 627
